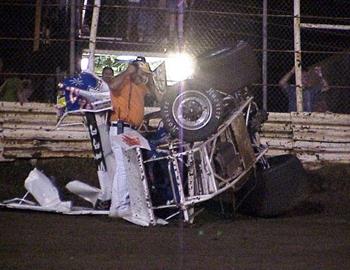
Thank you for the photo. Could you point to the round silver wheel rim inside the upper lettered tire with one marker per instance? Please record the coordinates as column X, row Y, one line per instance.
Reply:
column 192, row 110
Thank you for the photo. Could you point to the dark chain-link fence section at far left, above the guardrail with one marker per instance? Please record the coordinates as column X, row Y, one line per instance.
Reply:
column 34, row 47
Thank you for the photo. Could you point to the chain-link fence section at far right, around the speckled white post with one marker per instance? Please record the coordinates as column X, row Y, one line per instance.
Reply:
column 327, row 49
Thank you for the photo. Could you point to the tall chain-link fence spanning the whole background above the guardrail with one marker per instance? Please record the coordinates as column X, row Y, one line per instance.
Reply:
column 36, row 38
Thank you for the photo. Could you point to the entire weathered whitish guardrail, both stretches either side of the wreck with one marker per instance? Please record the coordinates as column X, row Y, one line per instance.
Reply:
column 26, row 131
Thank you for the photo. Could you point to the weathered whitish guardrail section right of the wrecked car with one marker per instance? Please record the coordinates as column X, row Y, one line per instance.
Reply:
column 313, row 137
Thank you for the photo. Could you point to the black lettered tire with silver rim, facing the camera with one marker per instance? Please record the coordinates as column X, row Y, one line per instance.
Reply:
column 191, row 114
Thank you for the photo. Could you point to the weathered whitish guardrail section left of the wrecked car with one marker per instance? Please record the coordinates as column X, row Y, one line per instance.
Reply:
column 26, row 131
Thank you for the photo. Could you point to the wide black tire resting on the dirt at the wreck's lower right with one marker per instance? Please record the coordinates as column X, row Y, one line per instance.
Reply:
column 278, row 189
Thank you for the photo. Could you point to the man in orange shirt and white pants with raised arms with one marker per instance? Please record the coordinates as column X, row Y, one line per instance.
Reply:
column 127, row 91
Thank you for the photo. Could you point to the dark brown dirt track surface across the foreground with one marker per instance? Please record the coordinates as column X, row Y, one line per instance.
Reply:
column 316, row 235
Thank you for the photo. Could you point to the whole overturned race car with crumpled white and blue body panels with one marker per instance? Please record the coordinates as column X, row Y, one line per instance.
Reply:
column 205, row 143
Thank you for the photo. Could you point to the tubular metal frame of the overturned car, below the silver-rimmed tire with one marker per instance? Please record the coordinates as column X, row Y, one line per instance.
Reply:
column 205, row 180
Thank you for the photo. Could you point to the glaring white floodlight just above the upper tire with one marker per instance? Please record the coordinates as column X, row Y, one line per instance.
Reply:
column 179, row 67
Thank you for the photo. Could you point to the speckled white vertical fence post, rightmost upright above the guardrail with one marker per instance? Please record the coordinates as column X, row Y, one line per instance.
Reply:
column 297, row 57
